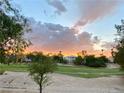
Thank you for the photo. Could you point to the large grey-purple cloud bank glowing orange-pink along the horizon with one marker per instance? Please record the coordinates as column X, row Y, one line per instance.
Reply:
column 48, row 37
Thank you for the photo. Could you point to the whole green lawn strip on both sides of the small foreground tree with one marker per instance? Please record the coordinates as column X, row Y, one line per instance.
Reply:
column 79, row 71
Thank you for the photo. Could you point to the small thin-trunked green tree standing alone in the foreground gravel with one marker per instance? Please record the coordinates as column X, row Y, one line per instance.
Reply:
column 39, row 69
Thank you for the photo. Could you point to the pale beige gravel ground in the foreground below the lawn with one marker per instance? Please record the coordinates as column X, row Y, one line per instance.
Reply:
column 20, row 82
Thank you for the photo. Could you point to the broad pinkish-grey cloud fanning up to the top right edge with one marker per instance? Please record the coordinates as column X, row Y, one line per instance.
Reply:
column 91, row 10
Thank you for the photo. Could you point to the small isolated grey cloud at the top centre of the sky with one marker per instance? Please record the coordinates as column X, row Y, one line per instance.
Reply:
column 58, row 5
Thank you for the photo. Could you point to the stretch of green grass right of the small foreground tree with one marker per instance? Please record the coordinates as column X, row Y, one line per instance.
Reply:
column 88, row 72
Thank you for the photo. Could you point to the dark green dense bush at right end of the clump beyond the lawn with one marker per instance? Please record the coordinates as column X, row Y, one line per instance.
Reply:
column 92, row 61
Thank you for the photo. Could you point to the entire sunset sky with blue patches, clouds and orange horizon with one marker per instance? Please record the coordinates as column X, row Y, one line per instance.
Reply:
column 71, row 26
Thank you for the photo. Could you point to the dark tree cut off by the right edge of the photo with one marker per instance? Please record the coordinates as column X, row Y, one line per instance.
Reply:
column 119, row 54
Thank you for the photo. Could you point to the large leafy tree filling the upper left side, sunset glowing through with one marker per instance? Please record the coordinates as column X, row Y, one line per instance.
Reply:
column 12, row 28
